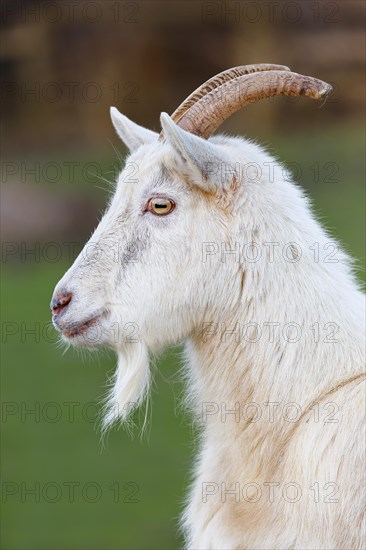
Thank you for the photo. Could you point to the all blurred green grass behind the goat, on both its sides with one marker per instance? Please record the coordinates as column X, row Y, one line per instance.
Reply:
column 35, row 371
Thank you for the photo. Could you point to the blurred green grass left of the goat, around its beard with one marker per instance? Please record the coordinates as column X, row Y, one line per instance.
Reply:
column 69, row 450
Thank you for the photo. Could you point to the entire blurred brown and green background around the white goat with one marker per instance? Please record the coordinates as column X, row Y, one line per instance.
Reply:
column 61, row 70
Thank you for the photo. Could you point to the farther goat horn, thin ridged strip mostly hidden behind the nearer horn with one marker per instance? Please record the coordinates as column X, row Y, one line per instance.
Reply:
column 220, row 79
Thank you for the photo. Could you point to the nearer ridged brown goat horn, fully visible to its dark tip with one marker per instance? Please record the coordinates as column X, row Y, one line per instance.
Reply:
column 211, row 110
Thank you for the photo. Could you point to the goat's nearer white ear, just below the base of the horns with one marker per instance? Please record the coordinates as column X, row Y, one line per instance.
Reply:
column 206, row 163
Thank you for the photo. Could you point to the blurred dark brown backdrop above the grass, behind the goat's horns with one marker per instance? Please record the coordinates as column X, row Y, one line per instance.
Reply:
column 64, row 63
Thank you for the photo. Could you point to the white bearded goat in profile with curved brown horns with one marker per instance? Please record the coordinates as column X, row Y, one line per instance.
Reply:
column 219, row 249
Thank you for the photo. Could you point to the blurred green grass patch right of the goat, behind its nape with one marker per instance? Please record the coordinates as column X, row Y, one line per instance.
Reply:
column 333, row 175
